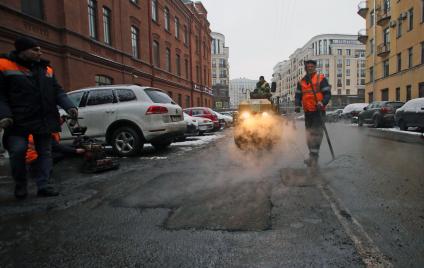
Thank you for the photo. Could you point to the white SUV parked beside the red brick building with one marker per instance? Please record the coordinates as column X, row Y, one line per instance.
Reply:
column 128, row 116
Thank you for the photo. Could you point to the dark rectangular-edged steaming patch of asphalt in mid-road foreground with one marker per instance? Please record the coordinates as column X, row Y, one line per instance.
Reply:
column 205, row 204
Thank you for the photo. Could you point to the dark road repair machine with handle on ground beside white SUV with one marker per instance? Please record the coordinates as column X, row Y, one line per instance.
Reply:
column 95, row 158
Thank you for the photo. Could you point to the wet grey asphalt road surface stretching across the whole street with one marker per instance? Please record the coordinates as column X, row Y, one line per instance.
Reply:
column 212, row 205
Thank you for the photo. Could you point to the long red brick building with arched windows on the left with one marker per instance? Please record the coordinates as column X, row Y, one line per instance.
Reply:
column 158, row 43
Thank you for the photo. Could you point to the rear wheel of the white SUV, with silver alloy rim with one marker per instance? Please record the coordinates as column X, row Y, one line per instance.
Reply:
column 126, row 141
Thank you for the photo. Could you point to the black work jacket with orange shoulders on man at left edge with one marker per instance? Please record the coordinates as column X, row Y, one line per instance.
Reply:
column 30, row 94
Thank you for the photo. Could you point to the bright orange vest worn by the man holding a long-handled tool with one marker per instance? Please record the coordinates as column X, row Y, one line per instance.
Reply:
column 308, row 99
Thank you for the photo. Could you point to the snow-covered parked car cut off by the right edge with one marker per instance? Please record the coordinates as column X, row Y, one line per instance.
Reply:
column 411, row 114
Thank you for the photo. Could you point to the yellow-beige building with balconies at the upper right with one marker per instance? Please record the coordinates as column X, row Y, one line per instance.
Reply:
column 394, row 38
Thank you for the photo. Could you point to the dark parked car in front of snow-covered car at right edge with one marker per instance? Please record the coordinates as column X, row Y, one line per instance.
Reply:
column 379, row 113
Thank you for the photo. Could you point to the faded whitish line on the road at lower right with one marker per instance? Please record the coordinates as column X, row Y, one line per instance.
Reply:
column 367, row 249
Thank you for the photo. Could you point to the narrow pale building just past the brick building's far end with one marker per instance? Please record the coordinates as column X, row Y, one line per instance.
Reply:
column 220, row 71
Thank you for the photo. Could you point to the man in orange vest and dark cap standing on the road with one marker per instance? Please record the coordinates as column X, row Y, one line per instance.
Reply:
column 313, row 93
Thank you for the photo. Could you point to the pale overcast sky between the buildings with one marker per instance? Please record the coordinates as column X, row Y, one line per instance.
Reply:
column 262, row 33
